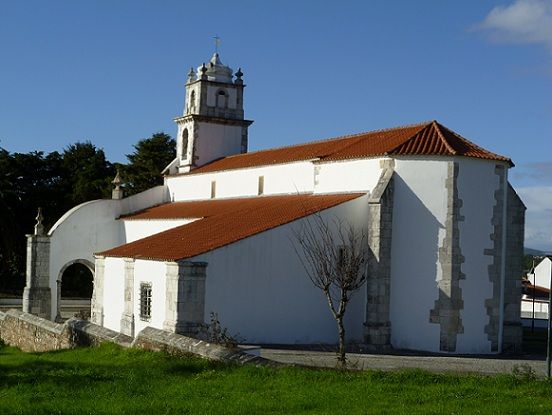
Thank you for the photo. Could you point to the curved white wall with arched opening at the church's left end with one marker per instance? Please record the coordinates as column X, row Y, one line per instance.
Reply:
column 92, row 227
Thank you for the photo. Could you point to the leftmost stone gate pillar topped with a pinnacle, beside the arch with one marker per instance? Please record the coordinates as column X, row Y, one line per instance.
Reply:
column 37, row 295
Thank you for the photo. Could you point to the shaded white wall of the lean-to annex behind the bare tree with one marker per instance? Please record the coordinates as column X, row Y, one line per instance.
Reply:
column 260, row 290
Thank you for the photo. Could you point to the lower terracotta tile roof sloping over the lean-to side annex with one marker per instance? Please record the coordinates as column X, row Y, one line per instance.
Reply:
column 224, row 221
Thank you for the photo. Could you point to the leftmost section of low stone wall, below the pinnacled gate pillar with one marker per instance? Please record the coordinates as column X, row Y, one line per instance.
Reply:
column 33, row 334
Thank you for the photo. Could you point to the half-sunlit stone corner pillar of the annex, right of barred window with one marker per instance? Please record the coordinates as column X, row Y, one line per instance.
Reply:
column 185, row 297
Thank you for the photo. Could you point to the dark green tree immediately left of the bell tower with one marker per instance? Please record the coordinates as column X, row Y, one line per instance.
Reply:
column 150, row 157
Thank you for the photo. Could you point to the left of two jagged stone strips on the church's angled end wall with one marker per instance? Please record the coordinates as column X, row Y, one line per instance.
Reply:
column 447, row 308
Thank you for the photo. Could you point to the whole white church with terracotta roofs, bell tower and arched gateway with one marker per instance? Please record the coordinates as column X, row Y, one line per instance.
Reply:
column 445, row 232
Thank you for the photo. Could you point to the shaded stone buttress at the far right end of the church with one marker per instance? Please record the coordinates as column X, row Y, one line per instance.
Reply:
column 512, row 329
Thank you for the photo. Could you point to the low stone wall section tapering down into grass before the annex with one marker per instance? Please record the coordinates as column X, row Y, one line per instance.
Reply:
column 160, row 340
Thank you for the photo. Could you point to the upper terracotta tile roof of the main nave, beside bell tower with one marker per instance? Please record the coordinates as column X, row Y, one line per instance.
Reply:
column 430, row 138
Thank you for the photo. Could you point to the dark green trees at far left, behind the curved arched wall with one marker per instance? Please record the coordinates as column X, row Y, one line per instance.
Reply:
column 56, row 182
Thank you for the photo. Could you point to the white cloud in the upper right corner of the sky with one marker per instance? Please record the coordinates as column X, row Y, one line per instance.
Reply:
column 524, row 21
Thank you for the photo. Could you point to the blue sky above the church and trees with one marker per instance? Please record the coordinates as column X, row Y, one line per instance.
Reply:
column 113, row 72
